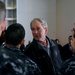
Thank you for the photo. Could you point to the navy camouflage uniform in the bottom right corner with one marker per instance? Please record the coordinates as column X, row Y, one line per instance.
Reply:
column 68, row 68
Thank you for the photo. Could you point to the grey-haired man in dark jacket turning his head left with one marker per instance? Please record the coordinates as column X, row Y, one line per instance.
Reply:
column 42, row 50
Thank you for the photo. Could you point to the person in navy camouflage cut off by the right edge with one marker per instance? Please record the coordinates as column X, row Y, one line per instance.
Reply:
column 68, row 67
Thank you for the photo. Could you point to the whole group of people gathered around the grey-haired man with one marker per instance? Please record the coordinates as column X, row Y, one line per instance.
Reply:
column 42, row 56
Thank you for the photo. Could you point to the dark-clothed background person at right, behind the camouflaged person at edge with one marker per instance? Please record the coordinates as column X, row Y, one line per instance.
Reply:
column 67, row 50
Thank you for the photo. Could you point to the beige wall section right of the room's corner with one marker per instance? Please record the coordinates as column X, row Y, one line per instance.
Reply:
column 65, row 18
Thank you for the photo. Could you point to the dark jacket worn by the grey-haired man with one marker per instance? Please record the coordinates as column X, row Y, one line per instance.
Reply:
column 48, row 65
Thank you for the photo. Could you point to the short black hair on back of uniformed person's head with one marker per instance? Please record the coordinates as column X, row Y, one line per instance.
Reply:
column 15, row 33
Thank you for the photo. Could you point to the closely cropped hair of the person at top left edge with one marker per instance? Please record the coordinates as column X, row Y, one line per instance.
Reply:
column 2, row 11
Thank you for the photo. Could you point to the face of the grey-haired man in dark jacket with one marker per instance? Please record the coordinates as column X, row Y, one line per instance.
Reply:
column 38, row 32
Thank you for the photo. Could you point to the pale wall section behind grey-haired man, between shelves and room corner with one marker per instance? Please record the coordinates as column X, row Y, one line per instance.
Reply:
column 29, row 9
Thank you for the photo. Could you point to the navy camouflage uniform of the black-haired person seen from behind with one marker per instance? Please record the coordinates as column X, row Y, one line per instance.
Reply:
column 13, row 62
